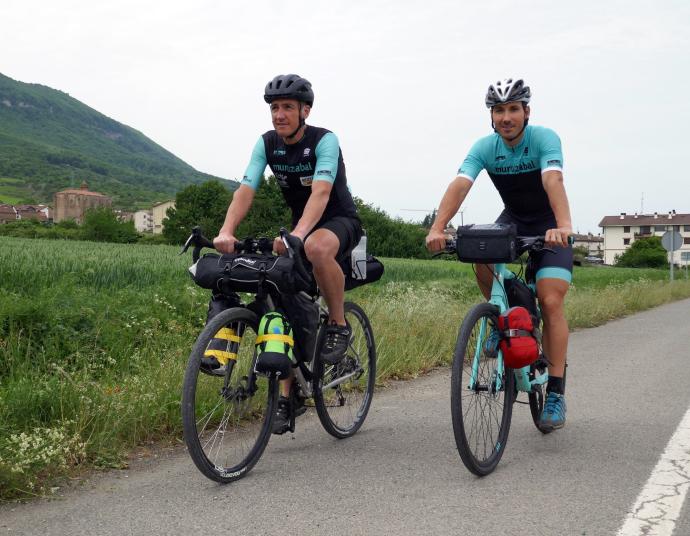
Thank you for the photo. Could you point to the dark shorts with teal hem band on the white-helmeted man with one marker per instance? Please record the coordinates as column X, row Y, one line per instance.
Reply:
column 558, row 263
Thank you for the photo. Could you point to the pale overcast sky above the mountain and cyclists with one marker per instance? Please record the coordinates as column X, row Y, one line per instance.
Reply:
column 401, row 83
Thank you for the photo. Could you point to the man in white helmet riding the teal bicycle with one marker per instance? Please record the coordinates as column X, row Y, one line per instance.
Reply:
column 525, row 164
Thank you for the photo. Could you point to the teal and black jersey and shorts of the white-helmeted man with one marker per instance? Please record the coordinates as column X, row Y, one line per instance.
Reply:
column 516, row 172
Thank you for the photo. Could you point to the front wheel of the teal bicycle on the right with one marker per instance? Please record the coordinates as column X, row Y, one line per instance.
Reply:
column 481, row 396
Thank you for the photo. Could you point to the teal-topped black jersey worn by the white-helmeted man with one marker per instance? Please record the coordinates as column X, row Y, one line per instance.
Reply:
column 516, row 171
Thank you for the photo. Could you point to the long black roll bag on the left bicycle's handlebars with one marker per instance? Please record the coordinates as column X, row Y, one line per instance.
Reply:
column 246, row 272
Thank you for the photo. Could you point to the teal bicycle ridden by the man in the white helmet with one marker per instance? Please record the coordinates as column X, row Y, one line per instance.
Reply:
column 483, row 389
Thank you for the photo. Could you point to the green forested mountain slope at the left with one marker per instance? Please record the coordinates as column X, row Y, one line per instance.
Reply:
column 50, row 141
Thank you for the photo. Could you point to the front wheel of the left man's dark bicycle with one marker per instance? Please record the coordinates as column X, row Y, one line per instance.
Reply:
column 227, row 415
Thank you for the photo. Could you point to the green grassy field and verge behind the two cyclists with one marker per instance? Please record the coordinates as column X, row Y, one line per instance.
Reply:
column 94, row 338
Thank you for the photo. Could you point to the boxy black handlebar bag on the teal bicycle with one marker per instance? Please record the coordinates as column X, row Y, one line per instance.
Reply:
column 495, row 242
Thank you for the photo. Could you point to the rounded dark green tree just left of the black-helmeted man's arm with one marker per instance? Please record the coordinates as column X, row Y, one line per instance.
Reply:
column 203, row 204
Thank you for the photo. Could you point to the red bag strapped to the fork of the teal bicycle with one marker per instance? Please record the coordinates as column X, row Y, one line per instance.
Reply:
column 518, row 342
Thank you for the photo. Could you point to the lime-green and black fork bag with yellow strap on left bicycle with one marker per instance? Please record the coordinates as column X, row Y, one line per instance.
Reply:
column 274, row 344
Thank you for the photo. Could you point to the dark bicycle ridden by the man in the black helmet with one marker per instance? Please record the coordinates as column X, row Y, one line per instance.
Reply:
column 227, row 414
